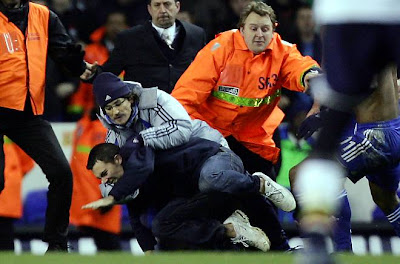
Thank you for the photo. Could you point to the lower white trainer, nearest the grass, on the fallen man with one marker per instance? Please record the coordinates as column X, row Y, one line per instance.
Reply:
column 246, row 234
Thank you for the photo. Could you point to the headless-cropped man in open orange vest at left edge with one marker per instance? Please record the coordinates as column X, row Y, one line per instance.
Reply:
column 29, row 32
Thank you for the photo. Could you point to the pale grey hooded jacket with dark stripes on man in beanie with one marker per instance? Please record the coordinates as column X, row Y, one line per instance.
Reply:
column 162, row 122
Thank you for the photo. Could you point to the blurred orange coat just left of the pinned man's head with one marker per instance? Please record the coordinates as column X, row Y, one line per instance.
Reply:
column 86, row 186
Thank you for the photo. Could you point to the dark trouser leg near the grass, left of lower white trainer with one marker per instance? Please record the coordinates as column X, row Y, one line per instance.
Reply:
column 195, row 221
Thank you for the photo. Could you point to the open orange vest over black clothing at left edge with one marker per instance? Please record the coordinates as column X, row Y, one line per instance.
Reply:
column 23, row 60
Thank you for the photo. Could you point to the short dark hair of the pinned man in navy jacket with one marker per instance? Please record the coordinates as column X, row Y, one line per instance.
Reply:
column 104, row 152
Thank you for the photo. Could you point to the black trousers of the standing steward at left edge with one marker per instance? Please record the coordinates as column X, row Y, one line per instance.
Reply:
column 36, row 137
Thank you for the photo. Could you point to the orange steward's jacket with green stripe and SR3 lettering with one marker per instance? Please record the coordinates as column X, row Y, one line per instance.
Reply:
column 237, row 92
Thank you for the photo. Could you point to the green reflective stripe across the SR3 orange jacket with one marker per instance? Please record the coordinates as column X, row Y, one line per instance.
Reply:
column 242, row 101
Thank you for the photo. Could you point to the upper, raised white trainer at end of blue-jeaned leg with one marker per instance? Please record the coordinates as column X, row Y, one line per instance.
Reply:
column 277, row 193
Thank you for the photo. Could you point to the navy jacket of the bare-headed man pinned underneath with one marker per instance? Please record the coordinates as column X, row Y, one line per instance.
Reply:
column 159, row 176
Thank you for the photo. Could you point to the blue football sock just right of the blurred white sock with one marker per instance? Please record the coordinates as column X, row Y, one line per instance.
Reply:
column 341, row 236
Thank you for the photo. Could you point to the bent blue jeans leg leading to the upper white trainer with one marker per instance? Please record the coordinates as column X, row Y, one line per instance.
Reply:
column 224, row 172
